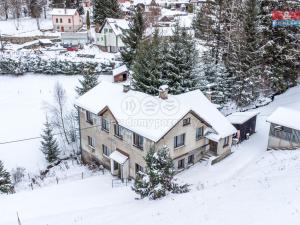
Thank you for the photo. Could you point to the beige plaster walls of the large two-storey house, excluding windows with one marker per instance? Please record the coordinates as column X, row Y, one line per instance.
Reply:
column 136, row 155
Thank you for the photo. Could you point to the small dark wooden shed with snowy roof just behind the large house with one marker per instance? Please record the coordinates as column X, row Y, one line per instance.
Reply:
column 245, row 123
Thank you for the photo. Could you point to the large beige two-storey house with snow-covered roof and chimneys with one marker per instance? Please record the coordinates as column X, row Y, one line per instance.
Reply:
column 120, row 125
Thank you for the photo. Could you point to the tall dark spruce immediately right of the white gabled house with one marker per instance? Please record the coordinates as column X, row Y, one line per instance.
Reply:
column 133, row 37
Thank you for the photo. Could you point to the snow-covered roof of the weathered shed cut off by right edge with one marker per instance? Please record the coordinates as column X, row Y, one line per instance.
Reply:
column 285, row 117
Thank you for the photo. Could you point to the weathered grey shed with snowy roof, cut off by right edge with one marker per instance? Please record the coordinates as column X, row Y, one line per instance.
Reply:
column 284, row 129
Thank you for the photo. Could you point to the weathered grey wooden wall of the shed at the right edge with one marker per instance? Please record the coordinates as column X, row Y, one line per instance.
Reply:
column 286, row 138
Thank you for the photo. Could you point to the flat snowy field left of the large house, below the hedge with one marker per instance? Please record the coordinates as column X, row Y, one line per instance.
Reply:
column 23, row 112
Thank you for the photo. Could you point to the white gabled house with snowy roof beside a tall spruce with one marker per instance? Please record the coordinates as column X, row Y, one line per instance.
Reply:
column 109, row 37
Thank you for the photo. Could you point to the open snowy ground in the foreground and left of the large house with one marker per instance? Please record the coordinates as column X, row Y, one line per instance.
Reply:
column 250, row 187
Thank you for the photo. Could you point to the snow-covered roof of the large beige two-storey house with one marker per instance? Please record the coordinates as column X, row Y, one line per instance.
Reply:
column 151, row 116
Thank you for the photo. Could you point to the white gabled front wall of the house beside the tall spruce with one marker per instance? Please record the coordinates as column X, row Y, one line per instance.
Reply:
column 107, row 39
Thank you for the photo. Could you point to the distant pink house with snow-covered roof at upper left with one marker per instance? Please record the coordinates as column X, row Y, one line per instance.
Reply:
column 66, row 20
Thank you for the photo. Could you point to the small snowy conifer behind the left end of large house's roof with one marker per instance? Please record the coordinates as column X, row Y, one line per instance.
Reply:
column 90, row 80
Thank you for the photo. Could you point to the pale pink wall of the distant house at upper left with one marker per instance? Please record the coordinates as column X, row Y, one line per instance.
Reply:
column 75, row 24
